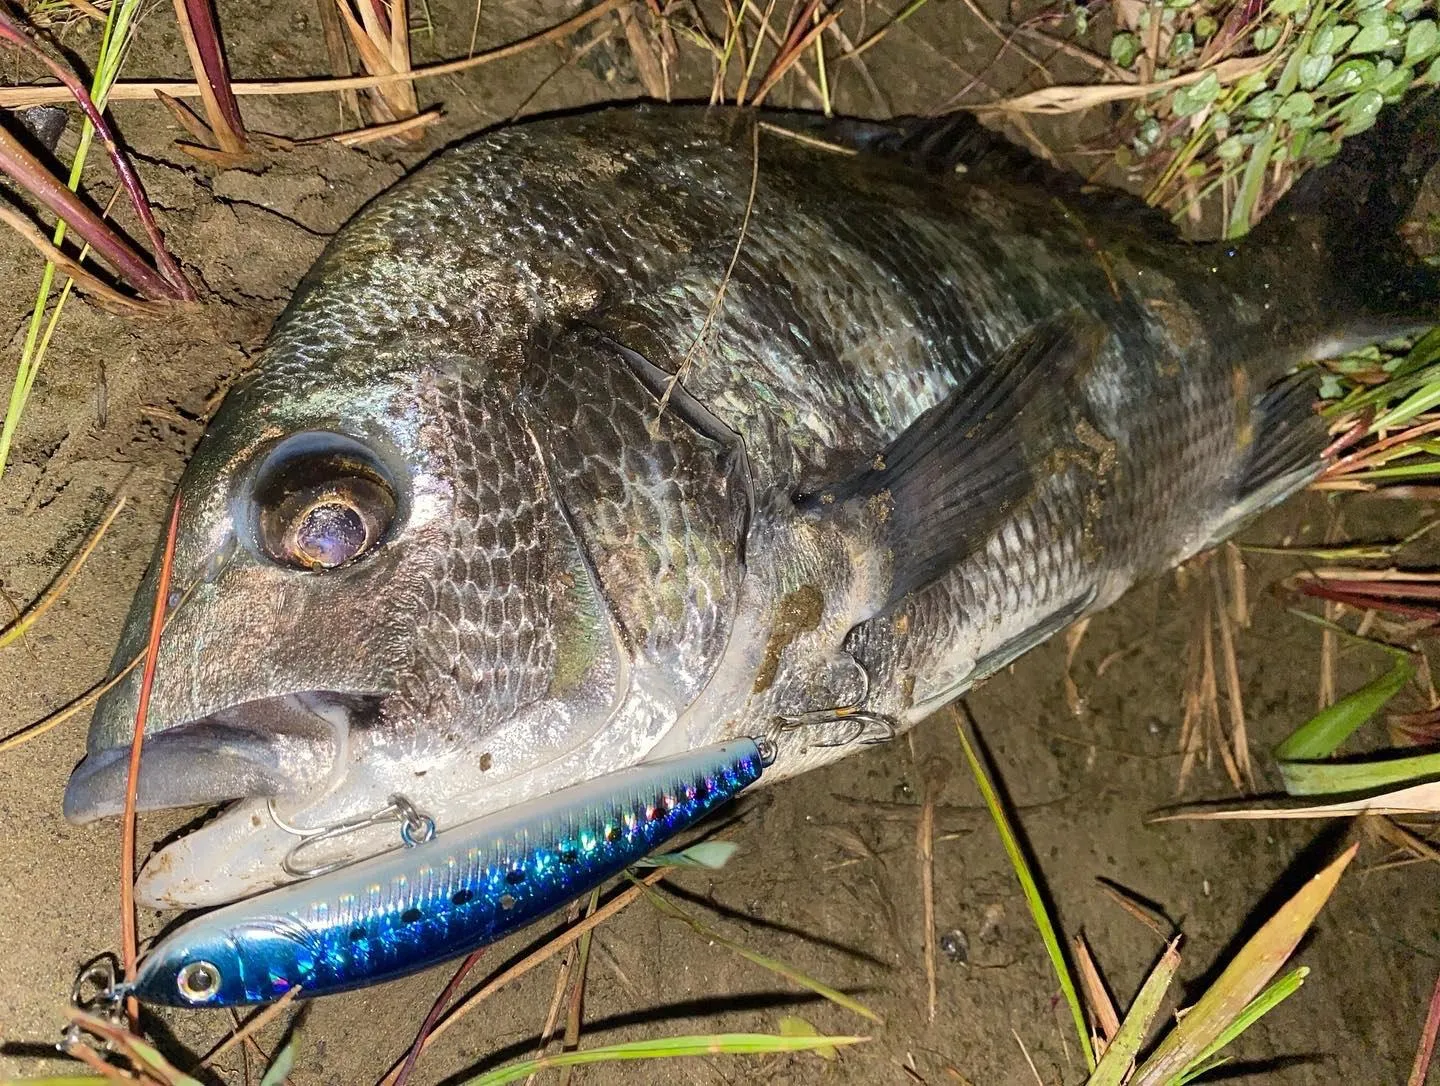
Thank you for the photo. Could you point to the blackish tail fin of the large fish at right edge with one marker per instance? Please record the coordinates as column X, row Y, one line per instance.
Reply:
column 1350, row 214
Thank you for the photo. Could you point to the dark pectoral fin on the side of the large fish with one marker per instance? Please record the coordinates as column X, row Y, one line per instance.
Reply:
column 961, row 469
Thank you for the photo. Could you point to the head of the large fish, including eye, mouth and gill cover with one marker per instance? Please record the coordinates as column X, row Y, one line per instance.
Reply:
column 423, row 570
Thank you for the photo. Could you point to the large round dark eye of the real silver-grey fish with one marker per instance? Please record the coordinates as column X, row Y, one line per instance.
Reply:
column 322, row 508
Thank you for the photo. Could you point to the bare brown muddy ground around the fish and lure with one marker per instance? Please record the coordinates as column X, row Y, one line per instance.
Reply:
column 827, row 878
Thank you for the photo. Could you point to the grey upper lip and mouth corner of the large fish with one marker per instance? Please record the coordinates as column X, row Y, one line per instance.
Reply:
column 283, row 745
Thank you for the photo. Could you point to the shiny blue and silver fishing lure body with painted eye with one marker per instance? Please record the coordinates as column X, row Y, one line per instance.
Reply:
column 410, row 910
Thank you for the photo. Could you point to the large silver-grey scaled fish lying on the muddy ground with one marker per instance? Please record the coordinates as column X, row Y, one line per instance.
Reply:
column 611, row 436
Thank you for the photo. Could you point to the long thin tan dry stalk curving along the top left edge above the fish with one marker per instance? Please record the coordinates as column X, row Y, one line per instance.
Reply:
column 24, row 97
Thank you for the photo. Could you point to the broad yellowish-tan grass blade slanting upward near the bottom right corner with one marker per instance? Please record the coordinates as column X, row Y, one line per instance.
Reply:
column 1246, row 977
